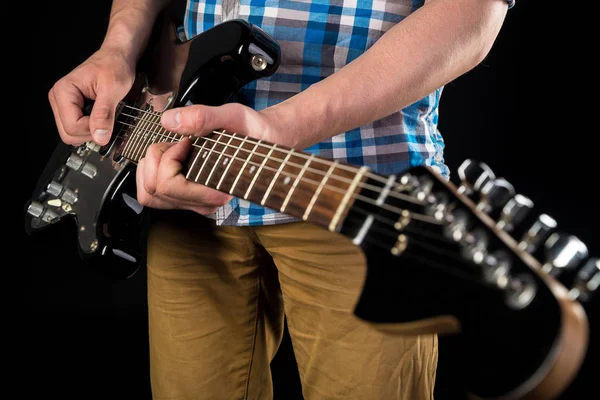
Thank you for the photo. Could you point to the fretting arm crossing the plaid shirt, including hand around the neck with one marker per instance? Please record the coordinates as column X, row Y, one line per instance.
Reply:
column 429, row 48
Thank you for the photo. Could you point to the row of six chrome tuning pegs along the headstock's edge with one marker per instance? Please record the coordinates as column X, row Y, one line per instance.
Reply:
column 529, row 233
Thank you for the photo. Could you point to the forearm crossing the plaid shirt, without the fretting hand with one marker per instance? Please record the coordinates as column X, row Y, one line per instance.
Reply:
column 431, row 47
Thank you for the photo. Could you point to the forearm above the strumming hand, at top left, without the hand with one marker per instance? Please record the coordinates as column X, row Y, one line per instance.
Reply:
column 130, row 25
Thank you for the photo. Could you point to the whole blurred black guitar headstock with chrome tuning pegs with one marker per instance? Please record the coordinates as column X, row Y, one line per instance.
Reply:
column 476, row 258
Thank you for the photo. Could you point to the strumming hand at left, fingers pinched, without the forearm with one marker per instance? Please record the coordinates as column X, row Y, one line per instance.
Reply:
column 106, row 77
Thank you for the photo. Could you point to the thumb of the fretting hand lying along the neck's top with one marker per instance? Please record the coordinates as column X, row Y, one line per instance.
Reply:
column 200, row 119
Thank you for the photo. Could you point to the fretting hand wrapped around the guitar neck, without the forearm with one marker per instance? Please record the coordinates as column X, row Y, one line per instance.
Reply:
column 160, row 183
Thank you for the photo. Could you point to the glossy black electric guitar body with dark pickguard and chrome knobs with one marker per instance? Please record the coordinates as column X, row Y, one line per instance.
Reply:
column 96, row 188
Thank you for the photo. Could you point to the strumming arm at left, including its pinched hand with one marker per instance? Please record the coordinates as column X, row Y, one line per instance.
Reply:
column 106, row 76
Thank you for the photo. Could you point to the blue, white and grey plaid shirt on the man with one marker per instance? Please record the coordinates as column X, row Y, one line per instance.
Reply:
column 317, row 38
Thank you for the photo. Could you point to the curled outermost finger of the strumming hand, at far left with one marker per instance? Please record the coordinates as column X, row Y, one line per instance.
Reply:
column 69, row 106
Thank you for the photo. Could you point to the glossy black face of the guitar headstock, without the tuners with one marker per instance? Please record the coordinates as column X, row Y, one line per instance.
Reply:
column 502, row 347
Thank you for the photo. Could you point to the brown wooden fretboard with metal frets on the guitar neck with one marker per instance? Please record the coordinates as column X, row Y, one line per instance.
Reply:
column 289, row 181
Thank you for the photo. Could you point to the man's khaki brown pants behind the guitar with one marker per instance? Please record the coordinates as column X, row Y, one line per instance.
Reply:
column 217, row 297
